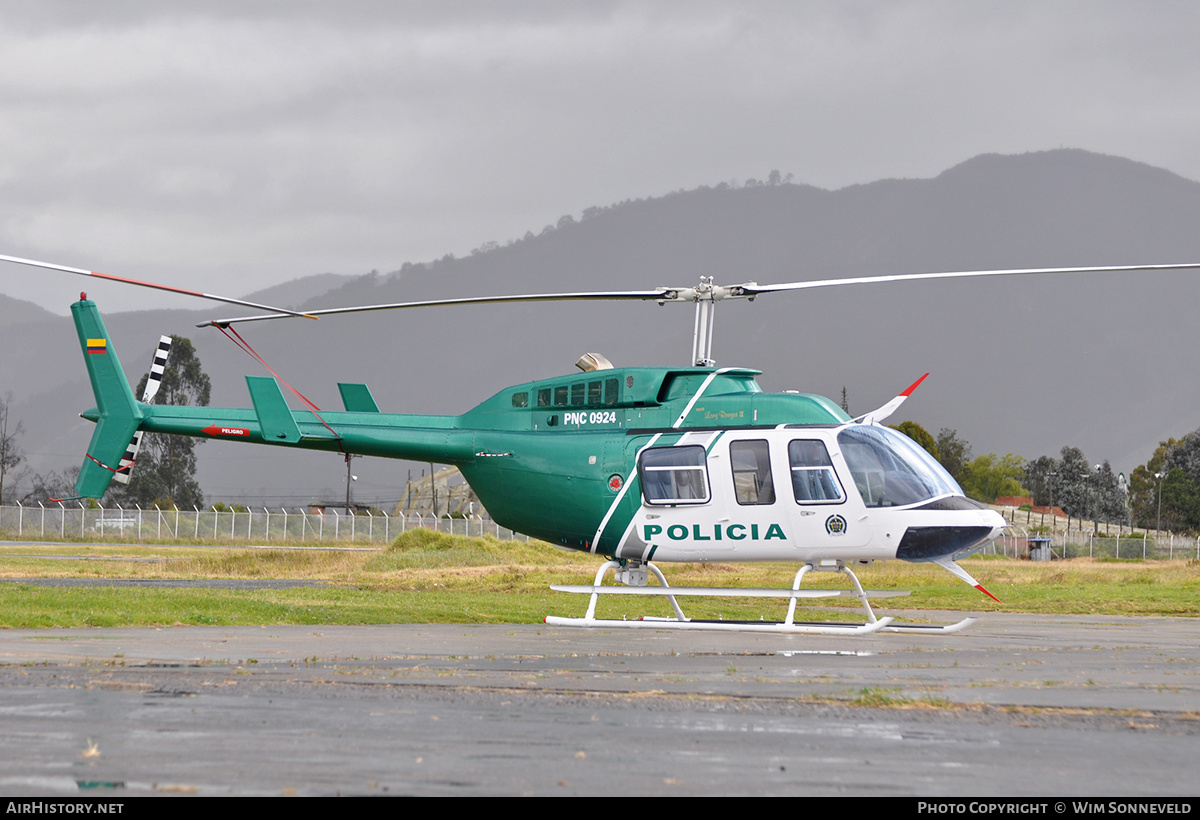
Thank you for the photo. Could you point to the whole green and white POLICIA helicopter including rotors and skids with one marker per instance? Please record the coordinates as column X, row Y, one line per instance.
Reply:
column 640, row 465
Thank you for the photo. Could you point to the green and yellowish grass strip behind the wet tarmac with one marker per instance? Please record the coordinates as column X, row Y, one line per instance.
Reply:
column 434, row 578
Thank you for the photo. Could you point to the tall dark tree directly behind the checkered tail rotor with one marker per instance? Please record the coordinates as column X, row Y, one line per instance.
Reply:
column 166, row 466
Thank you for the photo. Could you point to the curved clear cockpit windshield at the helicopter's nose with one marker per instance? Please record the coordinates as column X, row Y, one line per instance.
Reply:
column 891, row 470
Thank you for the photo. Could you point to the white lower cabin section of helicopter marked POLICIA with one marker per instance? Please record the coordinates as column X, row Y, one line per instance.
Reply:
column 849, row 493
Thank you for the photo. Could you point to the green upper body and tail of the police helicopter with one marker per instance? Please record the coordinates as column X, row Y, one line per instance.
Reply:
column 545, row 458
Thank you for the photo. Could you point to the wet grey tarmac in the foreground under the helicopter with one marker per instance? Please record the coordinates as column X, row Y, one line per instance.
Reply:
column 1017, row 705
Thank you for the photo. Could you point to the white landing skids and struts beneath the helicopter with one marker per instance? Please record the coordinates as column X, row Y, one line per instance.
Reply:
column 637, row 577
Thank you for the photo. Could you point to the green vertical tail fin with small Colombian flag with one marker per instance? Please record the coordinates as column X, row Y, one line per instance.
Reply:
column 118, row 416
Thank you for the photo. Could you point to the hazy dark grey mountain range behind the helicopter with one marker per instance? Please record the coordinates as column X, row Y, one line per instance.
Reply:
column 1028, row 366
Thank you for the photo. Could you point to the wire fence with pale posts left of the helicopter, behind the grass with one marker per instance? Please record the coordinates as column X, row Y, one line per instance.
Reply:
column 215, row 525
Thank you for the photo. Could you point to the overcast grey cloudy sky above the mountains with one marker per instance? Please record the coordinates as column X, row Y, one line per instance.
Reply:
column 226, row 147
